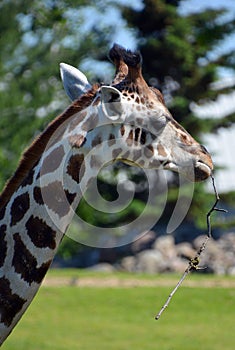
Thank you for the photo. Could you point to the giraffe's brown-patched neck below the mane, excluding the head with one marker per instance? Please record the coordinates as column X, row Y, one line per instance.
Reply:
column 39, row 212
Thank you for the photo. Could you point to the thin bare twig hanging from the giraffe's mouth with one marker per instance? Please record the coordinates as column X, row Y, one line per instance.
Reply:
column 194, row 262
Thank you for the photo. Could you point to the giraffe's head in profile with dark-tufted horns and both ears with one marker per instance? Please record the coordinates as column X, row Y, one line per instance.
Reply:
column 146, row 121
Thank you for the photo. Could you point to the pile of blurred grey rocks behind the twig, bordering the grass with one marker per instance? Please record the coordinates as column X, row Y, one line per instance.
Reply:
column 218, row 257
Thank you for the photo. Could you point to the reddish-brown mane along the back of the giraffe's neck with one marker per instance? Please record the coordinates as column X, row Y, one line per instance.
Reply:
column 32, row 154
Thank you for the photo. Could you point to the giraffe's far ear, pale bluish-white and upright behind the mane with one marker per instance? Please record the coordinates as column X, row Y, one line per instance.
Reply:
column 74, row 81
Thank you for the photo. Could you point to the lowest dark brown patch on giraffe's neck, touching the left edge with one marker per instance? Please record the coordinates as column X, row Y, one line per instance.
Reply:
column 10, row 303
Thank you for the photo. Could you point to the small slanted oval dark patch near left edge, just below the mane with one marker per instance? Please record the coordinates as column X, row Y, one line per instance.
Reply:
column 19, row 207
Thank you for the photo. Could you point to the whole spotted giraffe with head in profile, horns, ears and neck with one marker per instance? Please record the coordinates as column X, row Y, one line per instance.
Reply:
column 127, row 121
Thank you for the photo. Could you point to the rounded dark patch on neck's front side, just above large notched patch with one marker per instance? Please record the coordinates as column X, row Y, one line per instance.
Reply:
column 42, row 235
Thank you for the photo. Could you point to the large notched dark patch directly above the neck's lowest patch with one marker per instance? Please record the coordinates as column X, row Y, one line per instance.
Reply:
column 25, row 263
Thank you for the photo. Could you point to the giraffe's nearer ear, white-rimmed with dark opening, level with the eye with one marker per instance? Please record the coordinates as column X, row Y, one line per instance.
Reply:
column 111, row 102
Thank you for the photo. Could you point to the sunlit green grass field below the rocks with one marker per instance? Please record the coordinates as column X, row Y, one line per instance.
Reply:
column 122, row 317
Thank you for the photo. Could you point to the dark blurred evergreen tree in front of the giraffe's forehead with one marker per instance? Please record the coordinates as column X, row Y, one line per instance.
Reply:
column 182, row 57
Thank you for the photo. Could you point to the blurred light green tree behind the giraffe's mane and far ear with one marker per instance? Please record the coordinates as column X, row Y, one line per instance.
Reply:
column 35, row 37
